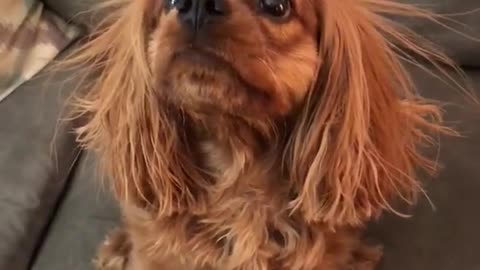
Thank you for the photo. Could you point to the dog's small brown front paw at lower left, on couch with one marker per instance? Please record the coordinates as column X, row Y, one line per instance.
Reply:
column 114, row 252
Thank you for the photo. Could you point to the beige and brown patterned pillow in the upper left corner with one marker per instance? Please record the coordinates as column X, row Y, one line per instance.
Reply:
column 30, row 37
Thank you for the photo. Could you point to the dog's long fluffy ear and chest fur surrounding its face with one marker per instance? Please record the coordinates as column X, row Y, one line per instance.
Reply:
column 335, row 161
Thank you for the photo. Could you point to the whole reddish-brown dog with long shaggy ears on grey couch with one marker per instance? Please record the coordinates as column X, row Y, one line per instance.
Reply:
column 254, row 134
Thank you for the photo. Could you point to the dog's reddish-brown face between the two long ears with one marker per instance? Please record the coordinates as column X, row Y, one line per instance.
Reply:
column 246, row 58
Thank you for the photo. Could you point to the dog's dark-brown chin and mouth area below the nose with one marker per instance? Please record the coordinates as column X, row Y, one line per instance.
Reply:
column 206, row 84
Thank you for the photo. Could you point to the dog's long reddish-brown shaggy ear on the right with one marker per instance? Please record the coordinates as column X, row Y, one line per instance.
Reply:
column 356, row 144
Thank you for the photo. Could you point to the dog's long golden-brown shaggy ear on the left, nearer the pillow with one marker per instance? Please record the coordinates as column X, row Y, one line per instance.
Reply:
column 139, row 146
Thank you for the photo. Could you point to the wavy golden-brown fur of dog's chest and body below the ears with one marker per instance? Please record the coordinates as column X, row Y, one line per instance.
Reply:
column 245, row 224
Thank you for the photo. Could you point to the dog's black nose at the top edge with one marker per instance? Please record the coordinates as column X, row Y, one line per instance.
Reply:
column 196, row 14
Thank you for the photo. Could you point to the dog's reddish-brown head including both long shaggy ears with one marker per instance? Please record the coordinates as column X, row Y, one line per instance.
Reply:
column 327, row 75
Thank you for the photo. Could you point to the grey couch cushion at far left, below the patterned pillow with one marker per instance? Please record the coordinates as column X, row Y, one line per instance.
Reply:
column 36, row 155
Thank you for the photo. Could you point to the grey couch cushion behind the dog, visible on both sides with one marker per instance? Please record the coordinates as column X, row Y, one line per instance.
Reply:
column 445, row 239
